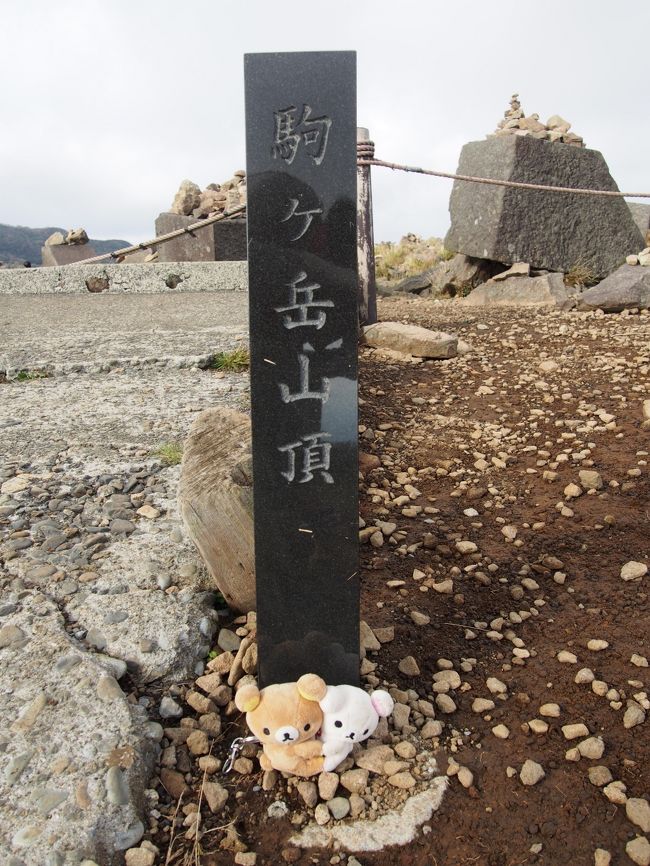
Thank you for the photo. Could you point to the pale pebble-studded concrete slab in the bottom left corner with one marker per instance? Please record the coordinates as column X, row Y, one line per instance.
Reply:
column 91, row 807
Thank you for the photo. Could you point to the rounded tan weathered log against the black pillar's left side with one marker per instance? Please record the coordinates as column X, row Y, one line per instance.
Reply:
column 216, row 501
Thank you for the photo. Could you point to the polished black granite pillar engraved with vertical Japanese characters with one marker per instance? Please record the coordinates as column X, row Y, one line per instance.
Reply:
column 301, row 174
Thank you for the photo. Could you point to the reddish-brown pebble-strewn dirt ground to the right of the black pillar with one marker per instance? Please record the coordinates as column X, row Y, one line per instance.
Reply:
column 603, row 364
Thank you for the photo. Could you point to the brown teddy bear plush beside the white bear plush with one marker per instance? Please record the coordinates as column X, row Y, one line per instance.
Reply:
column 285, row 718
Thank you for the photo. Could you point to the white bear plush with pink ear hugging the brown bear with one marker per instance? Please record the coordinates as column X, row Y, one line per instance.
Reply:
column 350, row 716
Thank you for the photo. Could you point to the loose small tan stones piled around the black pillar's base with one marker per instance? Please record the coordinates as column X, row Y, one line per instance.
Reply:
column 372, row 783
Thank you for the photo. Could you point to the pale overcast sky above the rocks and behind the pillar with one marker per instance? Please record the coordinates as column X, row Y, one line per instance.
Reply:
column 108, row 104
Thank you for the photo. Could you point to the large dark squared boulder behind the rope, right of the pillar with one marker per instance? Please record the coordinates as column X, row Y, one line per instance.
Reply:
column 550, row 230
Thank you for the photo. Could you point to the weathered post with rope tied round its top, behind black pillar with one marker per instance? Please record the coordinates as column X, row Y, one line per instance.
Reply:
column 365, row 236
